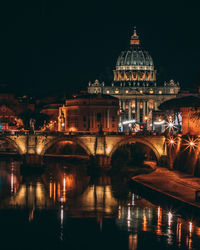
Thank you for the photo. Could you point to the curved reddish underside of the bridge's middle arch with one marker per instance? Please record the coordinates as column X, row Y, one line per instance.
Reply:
column 76, row 141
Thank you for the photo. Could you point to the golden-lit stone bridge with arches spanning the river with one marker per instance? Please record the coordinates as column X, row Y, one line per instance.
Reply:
column 93, row 144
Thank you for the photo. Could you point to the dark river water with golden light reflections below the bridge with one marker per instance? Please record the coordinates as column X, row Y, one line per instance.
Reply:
column 66, row 208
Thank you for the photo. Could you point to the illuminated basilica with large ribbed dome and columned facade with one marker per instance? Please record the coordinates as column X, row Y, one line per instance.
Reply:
column 135, row 86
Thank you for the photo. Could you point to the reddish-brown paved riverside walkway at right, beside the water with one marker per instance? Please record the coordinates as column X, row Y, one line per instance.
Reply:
column 178, row 185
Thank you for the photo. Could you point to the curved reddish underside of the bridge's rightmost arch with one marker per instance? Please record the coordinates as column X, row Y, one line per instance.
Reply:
column 134, row 140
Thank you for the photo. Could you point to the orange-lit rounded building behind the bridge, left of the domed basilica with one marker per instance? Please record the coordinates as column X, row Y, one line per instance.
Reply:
column 90, row 112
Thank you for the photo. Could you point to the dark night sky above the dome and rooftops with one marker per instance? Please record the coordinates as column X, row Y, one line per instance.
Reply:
column 60, row 46
